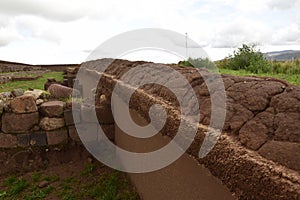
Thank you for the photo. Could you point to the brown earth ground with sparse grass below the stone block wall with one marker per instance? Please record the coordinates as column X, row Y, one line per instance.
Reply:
column 66, row 172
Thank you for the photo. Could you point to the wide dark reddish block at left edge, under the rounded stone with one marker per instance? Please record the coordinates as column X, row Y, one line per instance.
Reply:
column 19, row 123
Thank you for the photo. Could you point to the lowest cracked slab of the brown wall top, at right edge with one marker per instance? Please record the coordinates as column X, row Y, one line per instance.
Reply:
column 284, row 153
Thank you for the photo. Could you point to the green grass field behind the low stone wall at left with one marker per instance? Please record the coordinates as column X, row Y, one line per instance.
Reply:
column 35, row 84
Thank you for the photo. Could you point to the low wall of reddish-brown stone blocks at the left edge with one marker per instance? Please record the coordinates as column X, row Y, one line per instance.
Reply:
column 31, row 120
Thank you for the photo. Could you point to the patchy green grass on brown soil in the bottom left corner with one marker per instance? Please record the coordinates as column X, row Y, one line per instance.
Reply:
column 94, row 181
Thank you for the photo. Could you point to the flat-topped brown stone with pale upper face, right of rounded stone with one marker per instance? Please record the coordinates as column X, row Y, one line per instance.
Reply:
column 52, row 108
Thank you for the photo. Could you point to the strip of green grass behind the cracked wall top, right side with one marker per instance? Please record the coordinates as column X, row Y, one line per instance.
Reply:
column 291, row 78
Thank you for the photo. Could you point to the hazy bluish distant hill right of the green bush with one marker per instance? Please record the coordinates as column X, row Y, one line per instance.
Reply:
column 283, row 55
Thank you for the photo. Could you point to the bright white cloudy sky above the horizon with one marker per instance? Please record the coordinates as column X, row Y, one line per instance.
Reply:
column 60, row 31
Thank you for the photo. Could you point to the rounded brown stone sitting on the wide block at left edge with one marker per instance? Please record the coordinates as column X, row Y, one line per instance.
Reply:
column 23, row 104
